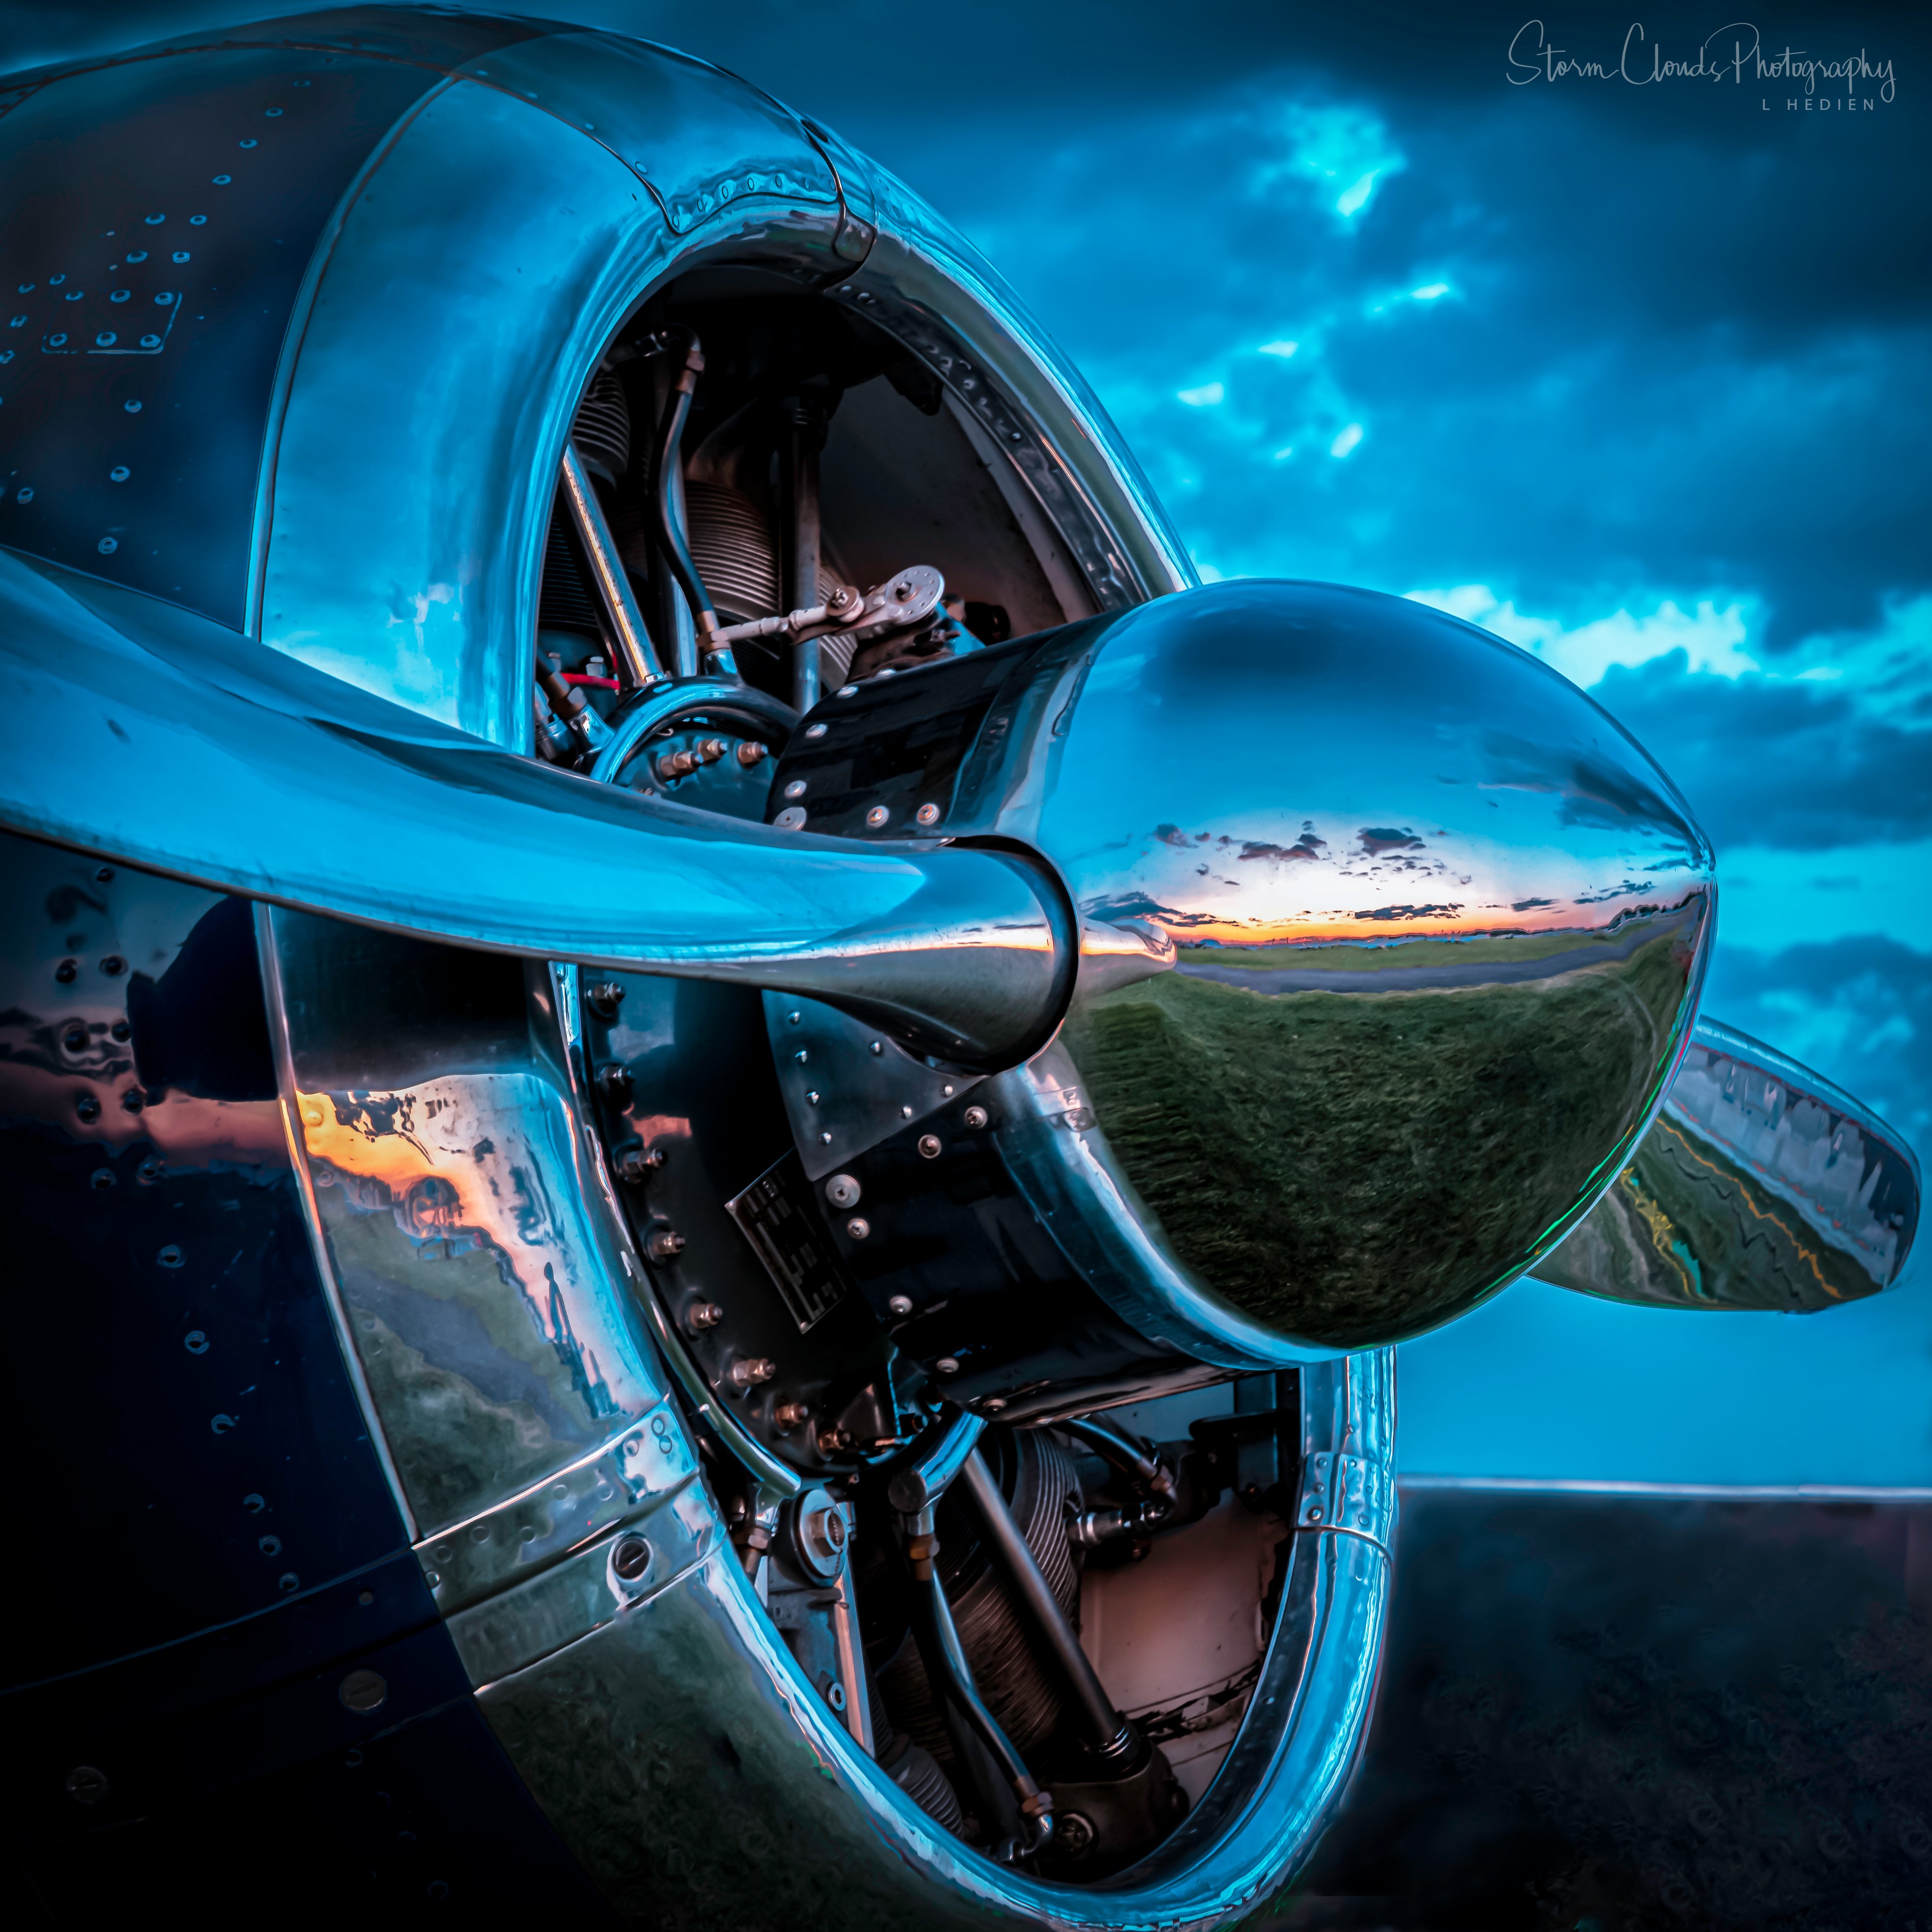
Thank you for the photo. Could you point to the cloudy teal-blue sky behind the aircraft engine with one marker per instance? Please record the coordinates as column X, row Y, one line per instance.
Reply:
column 1639, row 378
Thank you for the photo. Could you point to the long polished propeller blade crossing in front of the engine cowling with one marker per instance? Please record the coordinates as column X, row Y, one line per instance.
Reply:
column 161, row 739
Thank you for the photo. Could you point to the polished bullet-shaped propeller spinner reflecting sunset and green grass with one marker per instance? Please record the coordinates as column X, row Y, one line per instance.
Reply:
column 1440, row 930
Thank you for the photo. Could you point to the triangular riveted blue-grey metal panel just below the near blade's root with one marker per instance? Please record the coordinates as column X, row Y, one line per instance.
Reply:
column 845, row 1085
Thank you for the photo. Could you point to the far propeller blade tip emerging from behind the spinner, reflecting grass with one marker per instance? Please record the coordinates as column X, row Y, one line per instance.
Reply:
column 1759, row 1187
